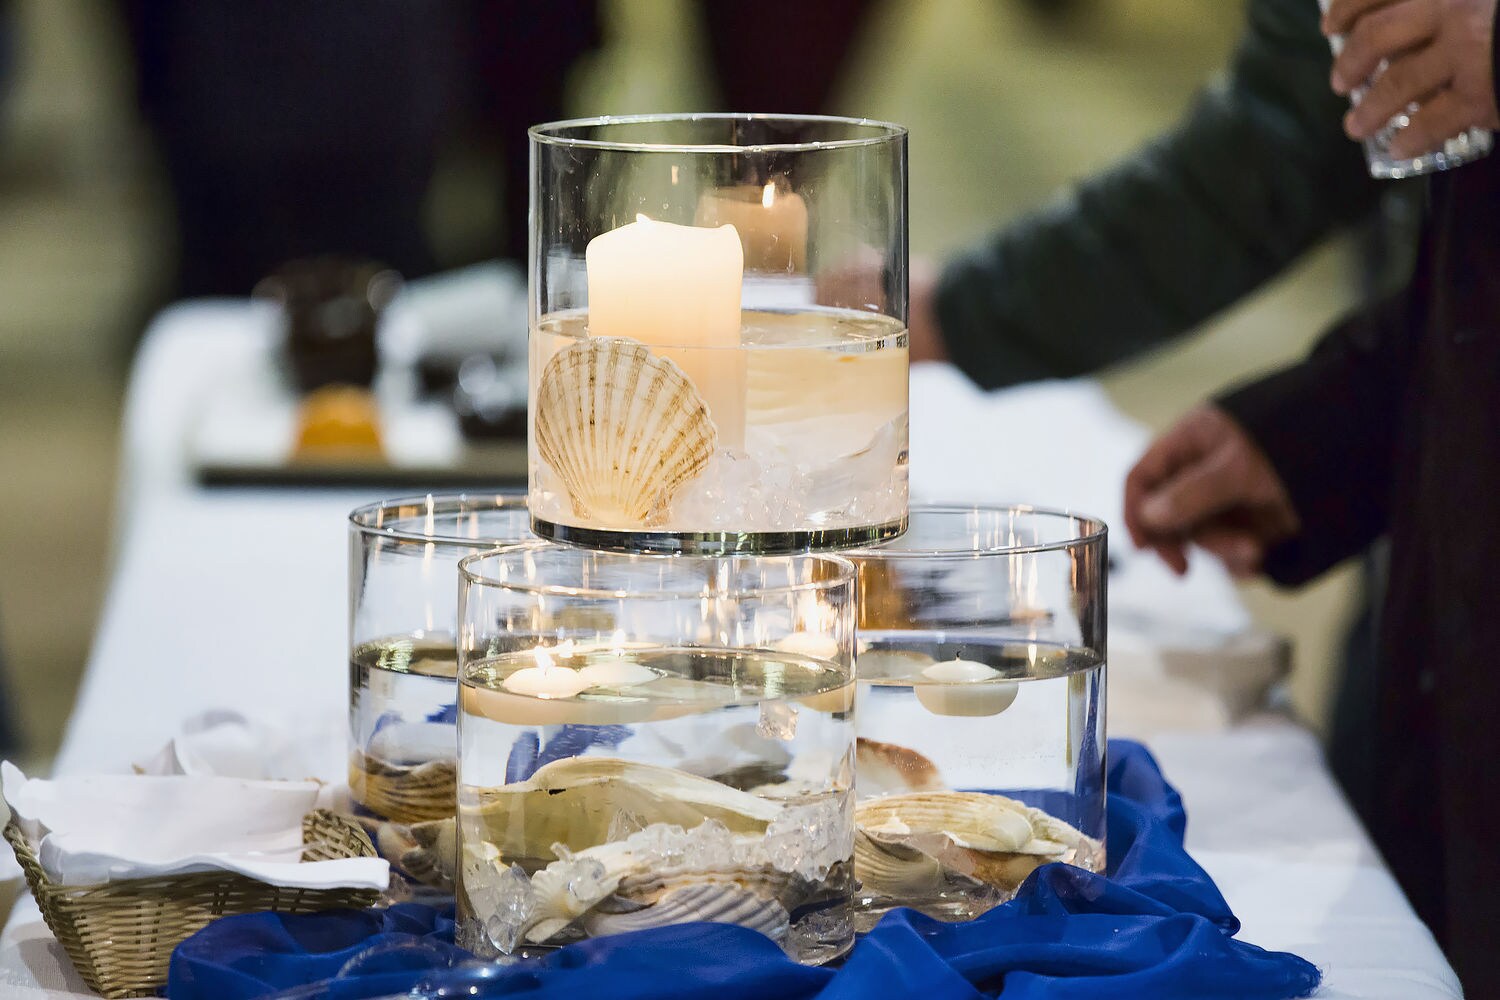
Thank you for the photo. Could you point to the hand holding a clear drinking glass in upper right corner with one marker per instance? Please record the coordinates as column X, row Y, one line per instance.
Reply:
column 1438, row 56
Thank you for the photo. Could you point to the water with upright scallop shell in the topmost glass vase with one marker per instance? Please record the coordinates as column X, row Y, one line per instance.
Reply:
column 817, row 458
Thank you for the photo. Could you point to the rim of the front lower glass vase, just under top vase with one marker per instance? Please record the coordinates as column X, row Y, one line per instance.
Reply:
column 844, row 573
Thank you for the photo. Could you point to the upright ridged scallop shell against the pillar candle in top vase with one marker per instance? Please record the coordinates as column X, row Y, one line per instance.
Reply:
column 622, row 428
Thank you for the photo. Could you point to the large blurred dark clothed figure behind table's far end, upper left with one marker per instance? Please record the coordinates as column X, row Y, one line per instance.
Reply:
column 293, row 128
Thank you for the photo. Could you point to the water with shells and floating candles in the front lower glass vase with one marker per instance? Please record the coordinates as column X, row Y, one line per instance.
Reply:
column 622, row 789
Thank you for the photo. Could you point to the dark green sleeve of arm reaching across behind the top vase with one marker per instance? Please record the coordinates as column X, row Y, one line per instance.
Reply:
column 1256, row 173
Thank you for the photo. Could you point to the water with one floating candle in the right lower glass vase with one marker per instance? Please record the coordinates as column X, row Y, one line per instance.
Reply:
column 979, row 762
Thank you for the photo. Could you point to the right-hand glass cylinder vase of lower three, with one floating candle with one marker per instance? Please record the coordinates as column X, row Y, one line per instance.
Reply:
column 982, row 707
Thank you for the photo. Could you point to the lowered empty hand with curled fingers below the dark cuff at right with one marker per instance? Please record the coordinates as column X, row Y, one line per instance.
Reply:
column 1205, row 482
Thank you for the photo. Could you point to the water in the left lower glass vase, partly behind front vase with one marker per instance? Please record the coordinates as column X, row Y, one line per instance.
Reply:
column 404, row 753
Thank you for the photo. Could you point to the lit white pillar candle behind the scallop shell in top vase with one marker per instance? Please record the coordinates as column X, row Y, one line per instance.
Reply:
column 677, row 290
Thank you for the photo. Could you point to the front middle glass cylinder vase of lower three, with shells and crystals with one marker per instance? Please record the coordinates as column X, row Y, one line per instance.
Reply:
column 655, row 740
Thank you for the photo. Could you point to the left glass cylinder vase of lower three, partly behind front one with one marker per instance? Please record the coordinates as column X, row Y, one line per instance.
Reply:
column 404, row 558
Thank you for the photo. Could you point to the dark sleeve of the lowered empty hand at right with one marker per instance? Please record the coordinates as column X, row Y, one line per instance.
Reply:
column 1331, row 428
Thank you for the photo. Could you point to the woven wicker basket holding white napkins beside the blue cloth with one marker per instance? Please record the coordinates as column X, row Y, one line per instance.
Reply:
column 122, row 935
